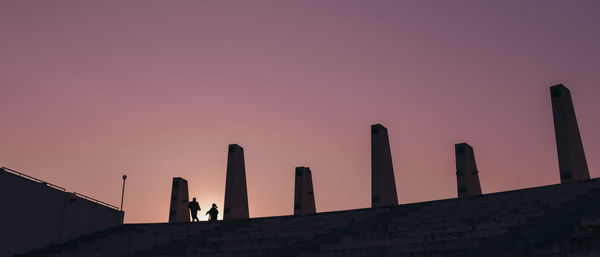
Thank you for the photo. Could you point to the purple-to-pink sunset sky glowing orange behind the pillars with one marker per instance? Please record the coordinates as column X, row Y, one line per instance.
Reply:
column 157, row 89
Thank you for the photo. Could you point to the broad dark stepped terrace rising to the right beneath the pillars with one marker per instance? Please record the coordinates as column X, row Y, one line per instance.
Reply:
column 556, row 220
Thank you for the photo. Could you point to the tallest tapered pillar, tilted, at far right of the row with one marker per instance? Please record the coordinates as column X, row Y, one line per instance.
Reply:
column 571, row 158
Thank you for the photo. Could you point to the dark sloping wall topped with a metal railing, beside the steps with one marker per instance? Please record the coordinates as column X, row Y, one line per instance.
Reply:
column 35, row 213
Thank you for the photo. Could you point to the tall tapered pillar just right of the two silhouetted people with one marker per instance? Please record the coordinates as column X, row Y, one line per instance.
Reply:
column 236, row 194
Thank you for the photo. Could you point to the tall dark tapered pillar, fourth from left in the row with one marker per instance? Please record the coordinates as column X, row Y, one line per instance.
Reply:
column 383, row 185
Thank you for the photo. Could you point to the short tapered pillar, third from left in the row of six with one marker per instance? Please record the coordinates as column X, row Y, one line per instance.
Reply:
column 304, row 197
